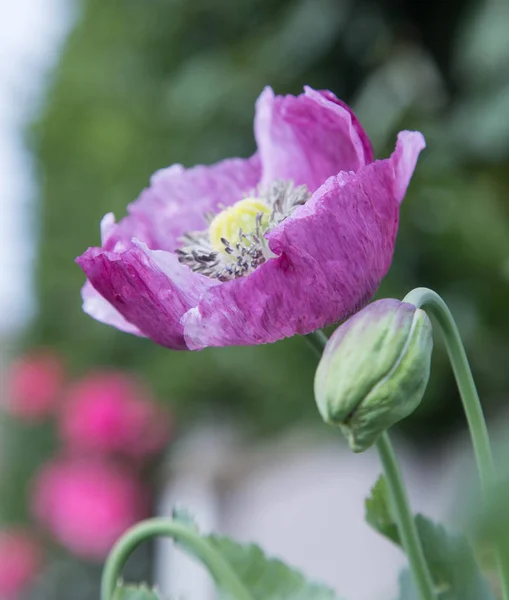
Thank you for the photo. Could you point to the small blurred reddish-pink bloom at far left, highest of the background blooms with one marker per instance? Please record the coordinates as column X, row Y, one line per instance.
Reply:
column 34, row 384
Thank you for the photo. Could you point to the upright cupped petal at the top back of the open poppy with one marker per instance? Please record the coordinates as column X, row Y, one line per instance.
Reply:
column 308, row 138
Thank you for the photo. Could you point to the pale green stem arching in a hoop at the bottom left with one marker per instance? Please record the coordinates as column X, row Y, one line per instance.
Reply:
column 218, row 567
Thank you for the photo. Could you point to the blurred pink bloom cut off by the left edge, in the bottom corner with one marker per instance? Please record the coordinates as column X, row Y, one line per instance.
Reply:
column 20, row 560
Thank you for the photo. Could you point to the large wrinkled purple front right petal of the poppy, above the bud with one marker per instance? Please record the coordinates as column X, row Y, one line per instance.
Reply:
column 332, row 256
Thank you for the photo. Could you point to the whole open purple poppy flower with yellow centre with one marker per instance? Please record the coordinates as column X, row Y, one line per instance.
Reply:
column 249, row 251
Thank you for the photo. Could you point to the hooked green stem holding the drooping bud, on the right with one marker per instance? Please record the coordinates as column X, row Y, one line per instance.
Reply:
column 437, row 308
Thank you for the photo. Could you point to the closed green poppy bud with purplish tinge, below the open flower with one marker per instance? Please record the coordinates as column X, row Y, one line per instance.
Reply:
column 374, row 370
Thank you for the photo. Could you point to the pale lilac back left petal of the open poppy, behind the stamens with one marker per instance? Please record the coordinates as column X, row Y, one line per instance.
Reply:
column 177, row 201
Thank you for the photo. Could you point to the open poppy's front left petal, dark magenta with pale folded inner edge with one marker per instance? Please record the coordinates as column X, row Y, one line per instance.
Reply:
column 150, row 289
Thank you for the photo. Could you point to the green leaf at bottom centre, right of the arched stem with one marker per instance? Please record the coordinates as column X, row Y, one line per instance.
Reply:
column 265, row 578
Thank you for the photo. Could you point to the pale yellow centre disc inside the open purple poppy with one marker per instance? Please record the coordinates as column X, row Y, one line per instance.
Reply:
column 242, row 215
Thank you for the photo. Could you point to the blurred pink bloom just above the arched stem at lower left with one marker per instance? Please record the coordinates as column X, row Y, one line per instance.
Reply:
column 86, row 505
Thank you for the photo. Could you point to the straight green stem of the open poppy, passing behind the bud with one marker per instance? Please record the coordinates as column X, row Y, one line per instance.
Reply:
column 399, row 501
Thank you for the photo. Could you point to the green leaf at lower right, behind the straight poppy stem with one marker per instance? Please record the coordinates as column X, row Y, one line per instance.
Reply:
column 450, row 558
